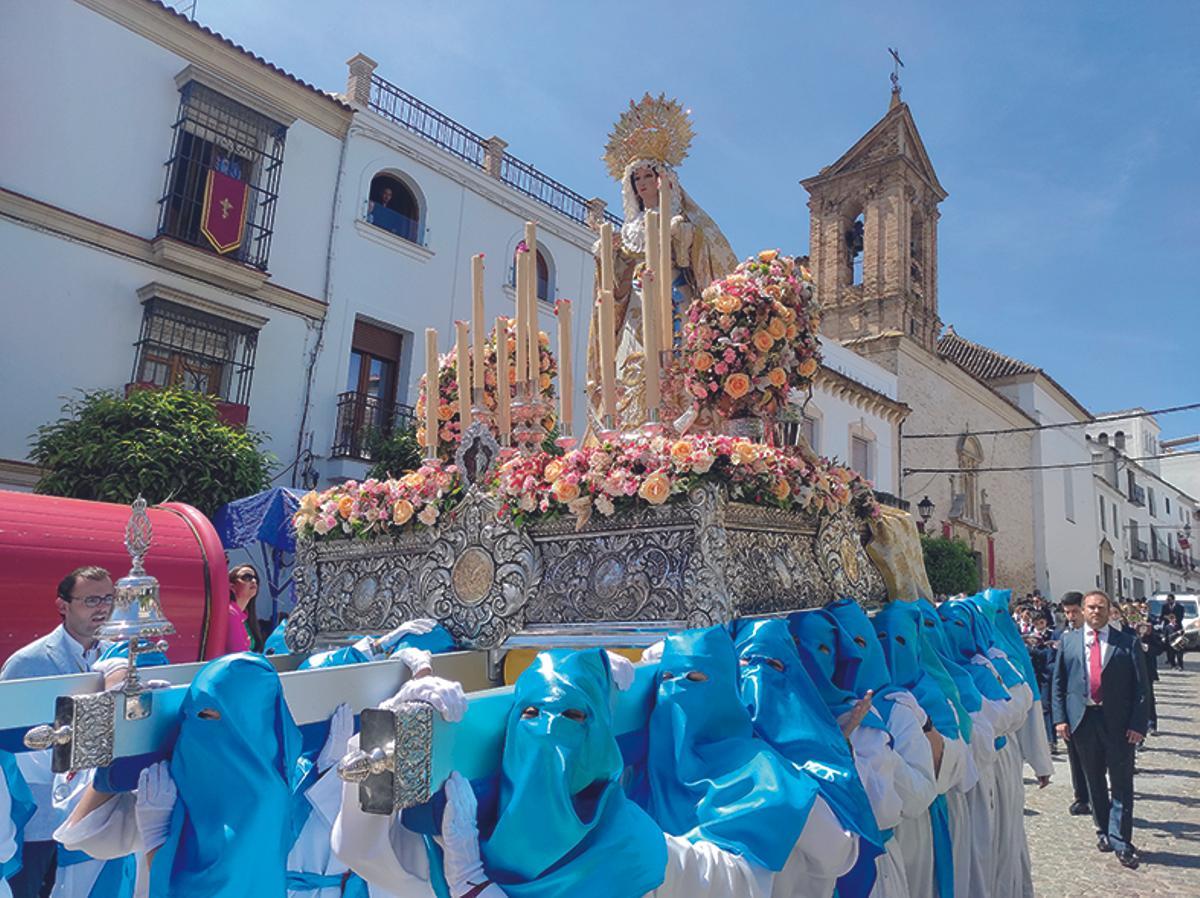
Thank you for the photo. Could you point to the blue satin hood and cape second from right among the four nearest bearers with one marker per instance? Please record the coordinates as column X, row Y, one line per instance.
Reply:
column 709, row 777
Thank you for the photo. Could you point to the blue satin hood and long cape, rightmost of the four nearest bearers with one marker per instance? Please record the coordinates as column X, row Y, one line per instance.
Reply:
column 789, row 714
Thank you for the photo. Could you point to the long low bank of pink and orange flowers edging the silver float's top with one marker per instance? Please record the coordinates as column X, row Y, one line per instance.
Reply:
column 628, row 472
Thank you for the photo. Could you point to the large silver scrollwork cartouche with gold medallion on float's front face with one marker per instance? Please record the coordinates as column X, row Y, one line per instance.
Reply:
column 495, row 606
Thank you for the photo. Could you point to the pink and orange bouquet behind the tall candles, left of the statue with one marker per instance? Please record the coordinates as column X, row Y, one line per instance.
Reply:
column 449, row 427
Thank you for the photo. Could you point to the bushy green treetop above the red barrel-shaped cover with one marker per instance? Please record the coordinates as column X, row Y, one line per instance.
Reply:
column 165, row 445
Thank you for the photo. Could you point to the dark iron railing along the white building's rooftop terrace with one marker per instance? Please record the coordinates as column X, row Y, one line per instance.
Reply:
column 422, row 119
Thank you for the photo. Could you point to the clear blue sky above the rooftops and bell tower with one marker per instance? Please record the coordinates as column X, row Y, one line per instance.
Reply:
column 1066, row 135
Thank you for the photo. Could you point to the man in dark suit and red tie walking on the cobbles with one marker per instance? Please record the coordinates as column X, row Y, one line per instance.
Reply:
column 1100, row 705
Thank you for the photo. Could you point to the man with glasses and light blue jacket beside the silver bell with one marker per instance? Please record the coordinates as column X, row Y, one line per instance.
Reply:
column 85, row 601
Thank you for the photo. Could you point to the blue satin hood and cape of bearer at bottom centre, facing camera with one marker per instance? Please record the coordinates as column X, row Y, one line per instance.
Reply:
column 565, row 825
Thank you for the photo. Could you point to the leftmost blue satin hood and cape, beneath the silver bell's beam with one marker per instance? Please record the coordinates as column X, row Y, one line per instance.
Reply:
column 231, row 830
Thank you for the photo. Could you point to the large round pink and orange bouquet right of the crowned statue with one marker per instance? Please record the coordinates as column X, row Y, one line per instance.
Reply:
column 752, row 338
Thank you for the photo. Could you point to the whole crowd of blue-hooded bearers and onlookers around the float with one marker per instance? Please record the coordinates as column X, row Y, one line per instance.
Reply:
column 829, row 753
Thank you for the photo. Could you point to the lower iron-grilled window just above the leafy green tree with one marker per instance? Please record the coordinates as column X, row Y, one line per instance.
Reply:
column 201, row 352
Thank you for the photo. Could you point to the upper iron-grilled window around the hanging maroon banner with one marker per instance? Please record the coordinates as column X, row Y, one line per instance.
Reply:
column 214, row 134
